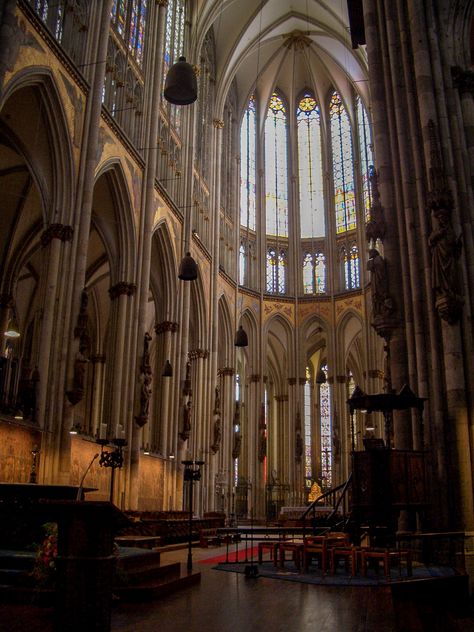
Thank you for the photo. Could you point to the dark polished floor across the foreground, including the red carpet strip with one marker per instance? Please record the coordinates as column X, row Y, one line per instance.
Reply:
column 232, row 602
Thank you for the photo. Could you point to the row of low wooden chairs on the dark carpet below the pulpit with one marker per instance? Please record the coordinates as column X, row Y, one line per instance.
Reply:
column 328, row 550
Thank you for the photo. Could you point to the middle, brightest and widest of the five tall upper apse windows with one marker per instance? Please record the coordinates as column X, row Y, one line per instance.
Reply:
column 310, row 168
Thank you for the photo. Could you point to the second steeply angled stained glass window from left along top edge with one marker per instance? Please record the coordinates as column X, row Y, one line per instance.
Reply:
column 129, row 20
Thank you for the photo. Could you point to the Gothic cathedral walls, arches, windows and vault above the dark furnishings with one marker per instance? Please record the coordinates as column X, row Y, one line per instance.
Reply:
column 229, row 278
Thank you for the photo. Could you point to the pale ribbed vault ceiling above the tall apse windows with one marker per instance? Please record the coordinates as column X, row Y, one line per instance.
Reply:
column 292, row 45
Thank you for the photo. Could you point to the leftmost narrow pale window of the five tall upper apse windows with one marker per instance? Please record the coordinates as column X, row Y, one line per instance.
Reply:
column 248, row 167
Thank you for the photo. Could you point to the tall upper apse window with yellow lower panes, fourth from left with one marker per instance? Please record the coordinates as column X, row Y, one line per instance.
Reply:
column 343, row 165
